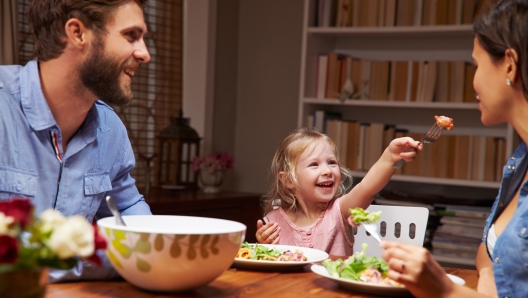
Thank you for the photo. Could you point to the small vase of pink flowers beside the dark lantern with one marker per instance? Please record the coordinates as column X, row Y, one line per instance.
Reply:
column 211, row 169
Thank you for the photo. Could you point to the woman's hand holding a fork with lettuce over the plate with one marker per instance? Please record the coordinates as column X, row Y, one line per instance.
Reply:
column 416, row 268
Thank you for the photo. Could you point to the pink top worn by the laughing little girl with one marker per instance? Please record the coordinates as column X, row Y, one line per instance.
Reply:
column 327, row 233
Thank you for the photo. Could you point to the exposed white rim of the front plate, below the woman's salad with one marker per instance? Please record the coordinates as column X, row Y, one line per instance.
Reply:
column 370, row 287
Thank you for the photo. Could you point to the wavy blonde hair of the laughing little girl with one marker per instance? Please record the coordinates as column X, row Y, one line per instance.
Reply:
column 285, row 160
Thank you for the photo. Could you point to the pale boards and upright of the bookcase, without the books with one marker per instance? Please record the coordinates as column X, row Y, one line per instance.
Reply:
column 446, row 42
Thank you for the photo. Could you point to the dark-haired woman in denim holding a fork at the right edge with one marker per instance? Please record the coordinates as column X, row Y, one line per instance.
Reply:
column 501, row 83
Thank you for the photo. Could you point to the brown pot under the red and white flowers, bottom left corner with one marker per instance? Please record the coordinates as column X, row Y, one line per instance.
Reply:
column 26, row 283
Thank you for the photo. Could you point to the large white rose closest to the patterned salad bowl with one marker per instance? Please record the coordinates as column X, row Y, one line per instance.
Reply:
column 74, row 237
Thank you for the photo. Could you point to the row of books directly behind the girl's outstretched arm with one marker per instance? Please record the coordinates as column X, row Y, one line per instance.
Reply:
column 467, row 157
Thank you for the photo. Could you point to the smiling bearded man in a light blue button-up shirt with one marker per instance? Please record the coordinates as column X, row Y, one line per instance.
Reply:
column 62, row 146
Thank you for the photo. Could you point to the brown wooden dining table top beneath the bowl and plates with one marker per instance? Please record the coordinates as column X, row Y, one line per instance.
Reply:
column 236, row 282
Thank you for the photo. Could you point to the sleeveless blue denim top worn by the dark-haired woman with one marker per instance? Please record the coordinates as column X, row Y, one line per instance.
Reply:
column 510, row 254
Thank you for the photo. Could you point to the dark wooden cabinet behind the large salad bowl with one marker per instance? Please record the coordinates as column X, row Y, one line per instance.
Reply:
column 236, row 206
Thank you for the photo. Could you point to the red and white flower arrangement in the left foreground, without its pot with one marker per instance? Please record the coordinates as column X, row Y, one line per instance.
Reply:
column 52, row 240
